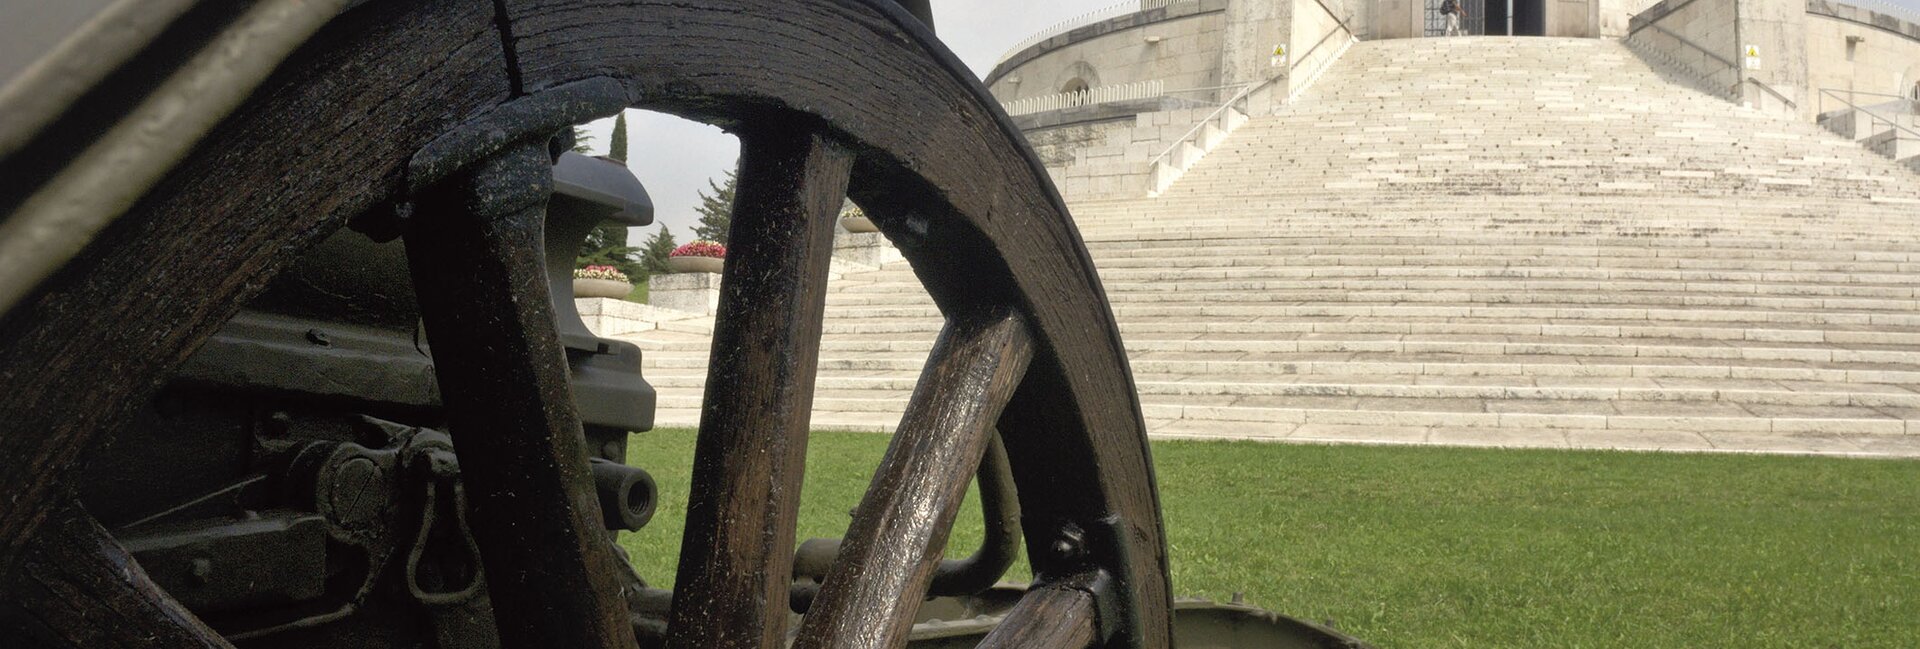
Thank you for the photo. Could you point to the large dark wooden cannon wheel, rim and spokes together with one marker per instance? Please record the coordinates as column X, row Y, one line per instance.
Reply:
column 830, row 99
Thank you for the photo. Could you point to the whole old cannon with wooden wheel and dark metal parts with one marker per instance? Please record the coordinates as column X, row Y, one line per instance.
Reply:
column 285, row 358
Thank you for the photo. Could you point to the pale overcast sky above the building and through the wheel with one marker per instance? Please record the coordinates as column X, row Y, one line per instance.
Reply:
column 675, row 158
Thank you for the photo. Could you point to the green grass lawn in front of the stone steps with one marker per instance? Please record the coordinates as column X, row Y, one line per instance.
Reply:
column 1476, row 548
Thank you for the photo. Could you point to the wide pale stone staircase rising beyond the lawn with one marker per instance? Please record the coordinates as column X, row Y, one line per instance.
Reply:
column 1477, row 241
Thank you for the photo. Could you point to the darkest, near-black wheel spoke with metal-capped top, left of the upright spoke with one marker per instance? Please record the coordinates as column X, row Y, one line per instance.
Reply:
column 475, row 249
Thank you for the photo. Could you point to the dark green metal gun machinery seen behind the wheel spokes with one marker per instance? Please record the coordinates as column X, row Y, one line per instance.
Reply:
column 327, row 487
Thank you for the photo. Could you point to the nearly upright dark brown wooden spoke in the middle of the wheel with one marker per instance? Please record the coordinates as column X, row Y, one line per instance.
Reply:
column 738, row 550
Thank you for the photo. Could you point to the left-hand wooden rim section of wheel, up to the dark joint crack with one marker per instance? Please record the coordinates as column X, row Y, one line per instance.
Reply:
column 325, row 139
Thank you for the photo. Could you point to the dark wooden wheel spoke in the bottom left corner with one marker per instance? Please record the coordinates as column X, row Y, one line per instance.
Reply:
column 78, row 587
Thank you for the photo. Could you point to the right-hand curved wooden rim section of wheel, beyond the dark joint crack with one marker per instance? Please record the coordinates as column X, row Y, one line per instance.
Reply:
column 948, row 180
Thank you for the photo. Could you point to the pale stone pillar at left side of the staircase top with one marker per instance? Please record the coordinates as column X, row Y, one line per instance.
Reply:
column 1255, row 28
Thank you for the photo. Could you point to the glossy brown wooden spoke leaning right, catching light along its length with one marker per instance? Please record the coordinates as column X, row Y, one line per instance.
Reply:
column 894, row 546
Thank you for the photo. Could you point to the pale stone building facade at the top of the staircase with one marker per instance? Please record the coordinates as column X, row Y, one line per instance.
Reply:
column 1224, row 60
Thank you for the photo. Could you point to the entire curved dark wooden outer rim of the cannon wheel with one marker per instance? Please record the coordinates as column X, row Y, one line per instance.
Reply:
column 936, row 168
